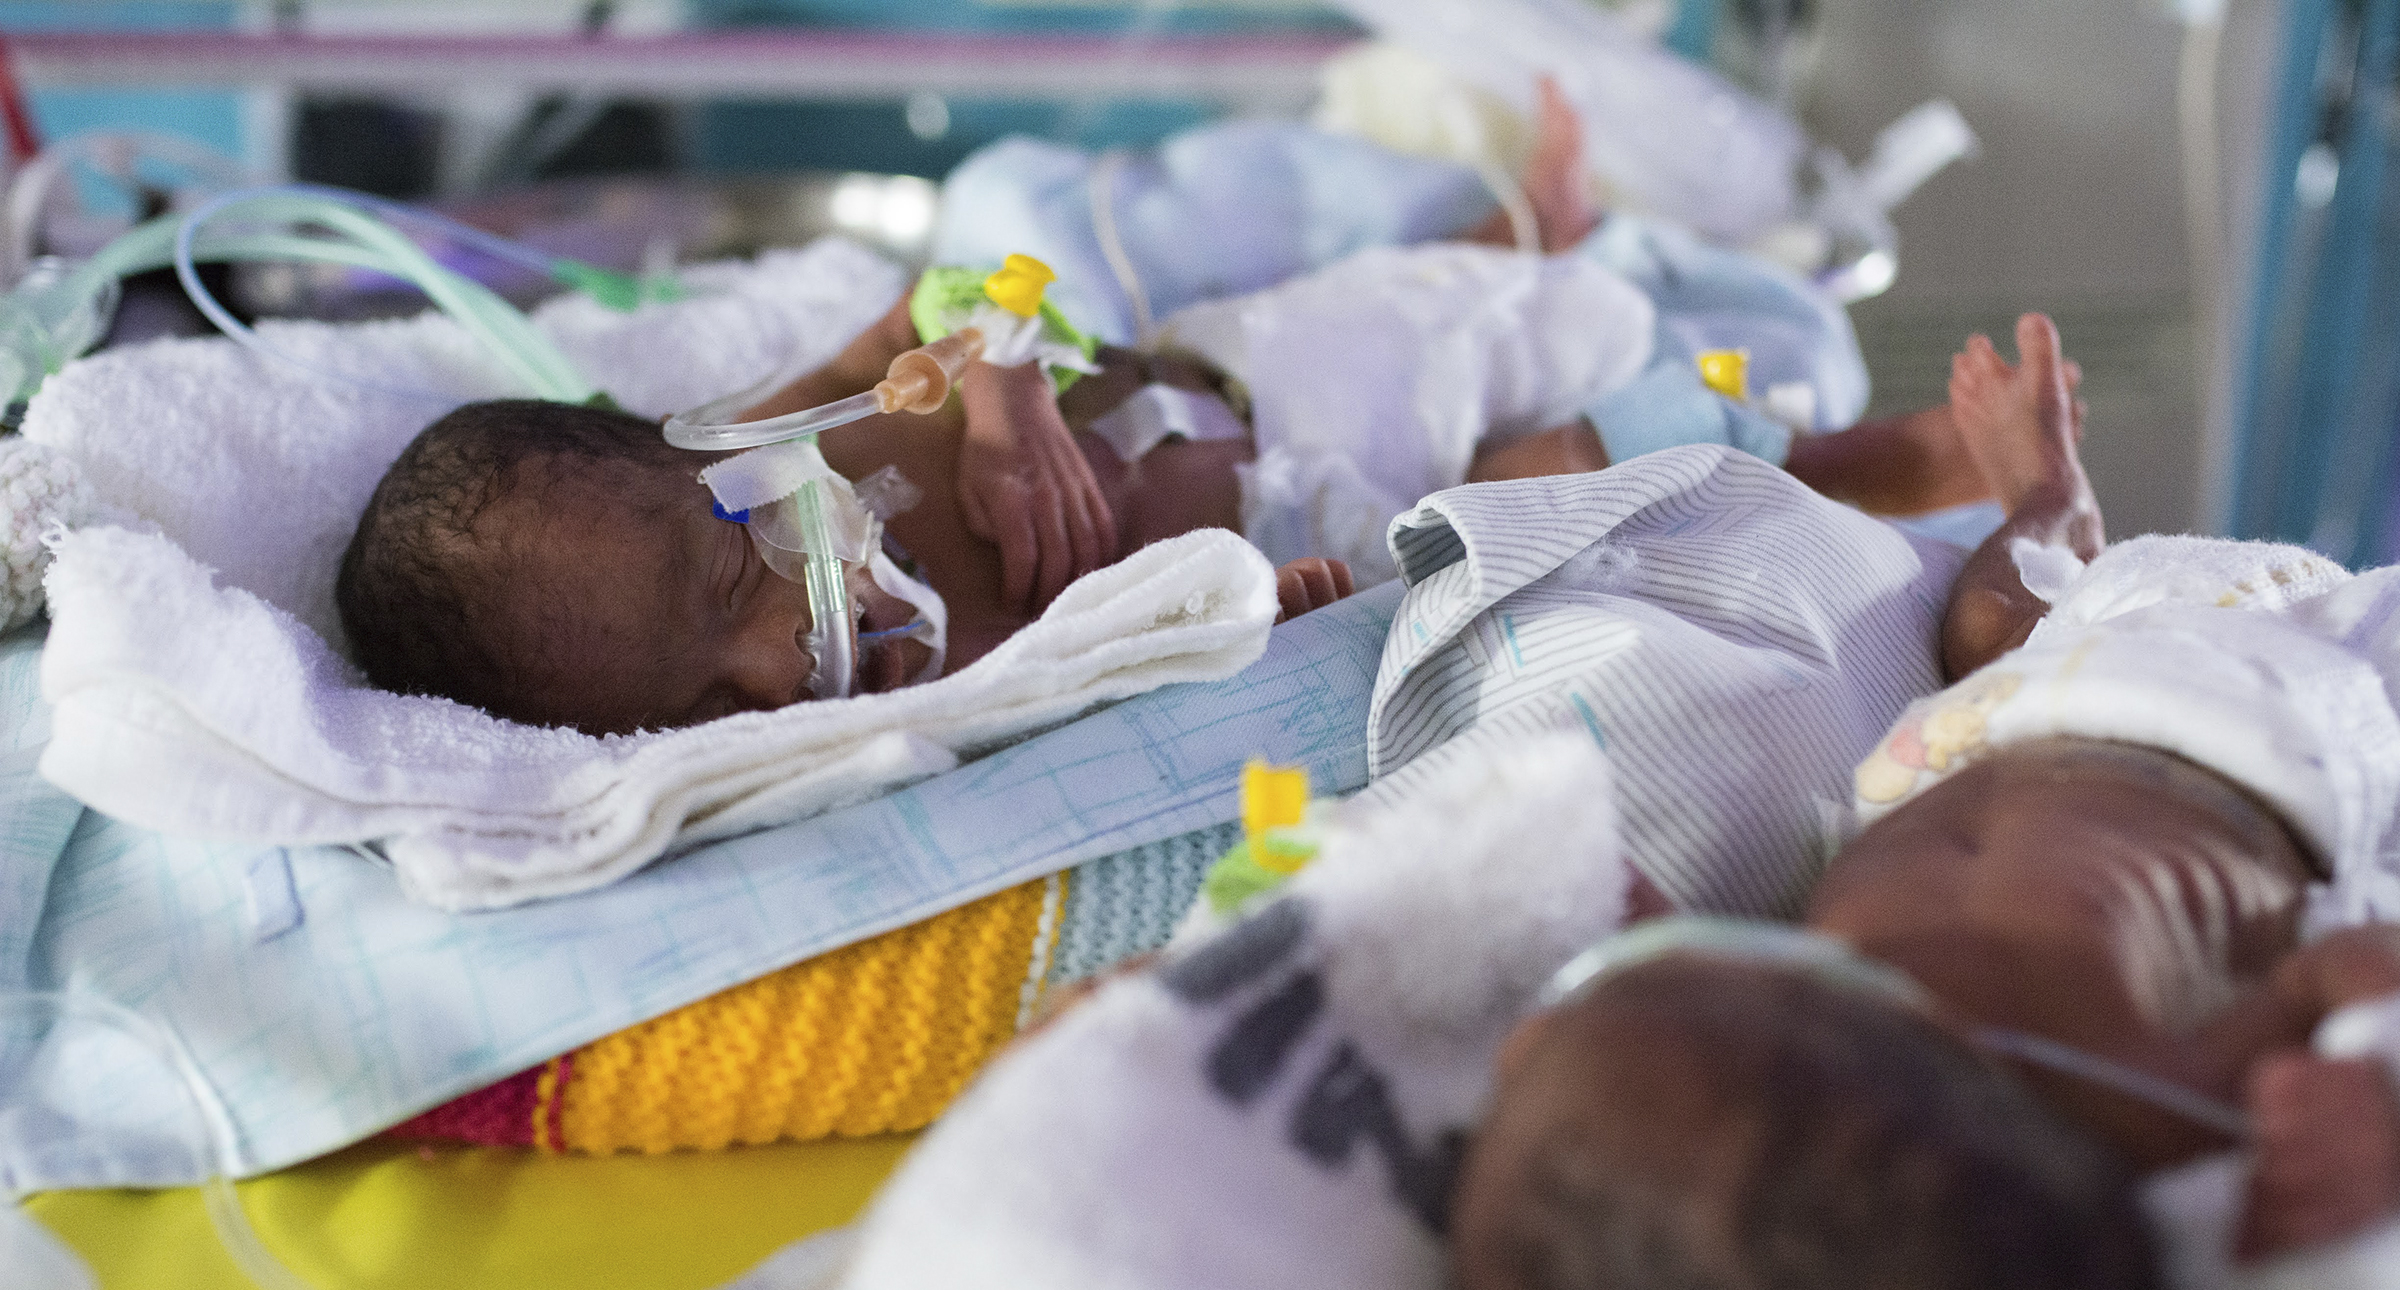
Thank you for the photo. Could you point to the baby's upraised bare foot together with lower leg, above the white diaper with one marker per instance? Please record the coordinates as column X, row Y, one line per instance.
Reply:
column 2022, row 428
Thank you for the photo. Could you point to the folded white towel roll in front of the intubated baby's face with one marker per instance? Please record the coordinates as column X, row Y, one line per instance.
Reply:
column 205, row 711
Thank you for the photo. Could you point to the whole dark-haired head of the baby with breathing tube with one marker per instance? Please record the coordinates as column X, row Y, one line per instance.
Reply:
column 563, row 567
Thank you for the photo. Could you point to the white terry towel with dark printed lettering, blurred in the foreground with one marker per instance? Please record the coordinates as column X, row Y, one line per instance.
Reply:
column 1283, row 1104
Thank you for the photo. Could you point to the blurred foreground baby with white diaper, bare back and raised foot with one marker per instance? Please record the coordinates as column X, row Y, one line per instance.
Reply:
column 2137, row 860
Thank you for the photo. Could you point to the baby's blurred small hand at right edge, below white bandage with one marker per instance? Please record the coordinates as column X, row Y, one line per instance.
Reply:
column 2327, row 1155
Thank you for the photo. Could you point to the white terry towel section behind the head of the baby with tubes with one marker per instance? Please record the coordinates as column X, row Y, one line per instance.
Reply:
column 260, row 469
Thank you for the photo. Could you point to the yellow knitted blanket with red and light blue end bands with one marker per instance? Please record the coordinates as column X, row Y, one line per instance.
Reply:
column 872, row 1039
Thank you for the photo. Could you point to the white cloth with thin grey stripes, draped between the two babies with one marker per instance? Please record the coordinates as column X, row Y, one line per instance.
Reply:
column 1732, row 639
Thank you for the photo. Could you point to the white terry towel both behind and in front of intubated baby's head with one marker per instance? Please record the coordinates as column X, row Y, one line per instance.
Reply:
column 198, row 687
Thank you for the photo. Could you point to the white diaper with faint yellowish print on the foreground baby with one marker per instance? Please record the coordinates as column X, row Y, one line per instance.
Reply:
column 2262, row 663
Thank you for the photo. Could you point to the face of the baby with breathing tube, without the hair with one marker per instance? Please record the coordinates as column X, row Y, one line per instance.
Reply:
column 635, row 608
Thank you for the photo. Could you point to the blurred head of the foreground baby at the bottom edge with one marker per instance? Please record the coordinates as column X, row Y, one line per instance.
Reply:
column 1724, row 1123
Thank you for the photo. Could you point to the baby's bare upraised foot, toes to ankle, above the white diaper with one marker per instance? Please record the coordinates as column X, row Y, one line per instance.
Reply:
column 2020, row 421
